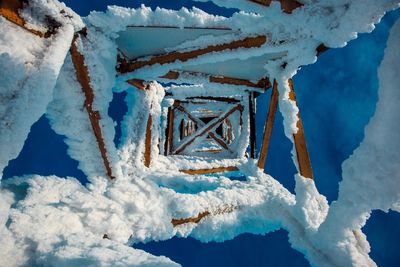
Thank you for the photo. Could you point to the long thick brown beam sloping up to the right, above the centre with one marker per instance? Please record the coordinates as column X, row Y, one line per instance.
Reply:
column 249, row 42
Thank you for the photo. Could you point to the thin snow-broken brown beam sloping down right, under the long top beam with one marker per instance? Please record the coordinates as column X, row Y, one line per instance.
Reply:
column 263, row 83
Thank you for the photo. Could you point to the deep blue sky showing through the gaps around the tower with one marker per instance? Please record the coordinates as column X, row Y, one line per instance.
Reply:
column 336, row 96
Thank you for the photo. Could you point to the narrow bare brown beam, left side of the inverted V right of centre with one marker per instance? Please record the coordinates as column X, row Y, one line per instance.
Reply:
column 269, row 123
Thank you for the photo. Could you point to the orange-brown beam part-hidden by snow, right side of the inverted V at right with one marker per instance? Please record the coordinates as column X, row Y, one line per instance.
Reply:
column 303, row 158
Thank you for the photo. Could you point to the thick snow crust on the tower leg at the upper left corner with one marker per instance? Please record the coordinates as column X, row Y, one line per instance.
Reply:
column 30, row 68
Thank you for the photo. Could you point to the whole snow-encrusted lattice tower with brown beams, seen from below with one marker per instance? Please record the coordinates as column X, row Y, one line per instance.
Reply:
column 189, row 115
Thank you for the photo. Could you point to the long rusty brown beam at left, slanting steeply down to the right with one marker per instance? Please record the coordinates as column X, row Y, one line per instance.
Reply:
column 83, row 77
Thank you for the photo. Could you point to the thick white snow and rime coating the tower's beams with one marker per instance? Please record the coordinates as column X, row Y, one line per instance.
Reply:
column 55, row 221
